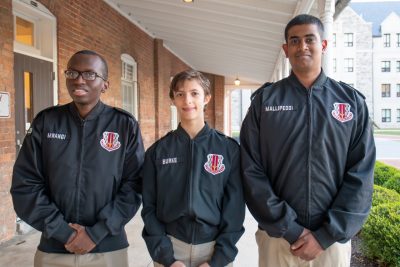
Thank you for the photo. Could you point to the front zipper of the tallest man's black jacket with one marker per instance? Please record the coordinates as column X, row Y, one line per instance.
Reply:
column 309, row 157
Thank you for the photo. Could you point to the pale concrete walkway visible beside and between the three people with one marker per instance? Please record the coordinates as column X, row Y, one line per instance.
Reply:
column 20, row 251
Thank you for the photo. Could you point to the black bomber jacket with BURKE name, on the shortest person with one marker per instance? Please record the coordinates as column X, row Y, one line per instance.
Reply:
column 192, row 190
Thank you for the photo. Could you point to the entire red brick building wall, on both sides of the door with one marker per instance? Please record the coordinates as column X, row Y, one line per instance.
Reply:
column 110, row 34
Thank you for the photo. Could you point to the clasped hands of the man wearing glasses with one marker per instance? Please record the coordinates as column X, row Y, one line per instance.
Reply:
column 79, row 242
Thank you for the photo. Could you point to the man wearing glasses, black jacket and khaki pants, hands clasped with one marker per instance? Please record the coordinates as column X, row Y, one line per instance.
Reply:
column 76, row 178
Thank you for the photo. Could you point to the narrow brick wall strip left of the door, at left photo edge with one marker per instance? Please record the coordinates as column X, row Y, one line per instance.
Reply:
column 7, row 125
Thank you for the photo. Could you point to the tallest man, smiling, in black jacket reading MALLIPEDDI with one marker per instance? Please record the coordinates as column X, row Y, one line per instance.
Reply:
column 308, row 157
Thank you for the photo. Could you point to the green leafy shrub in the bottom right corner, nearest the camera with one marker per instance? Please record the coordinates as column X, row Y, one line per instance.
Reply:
column 381, row 234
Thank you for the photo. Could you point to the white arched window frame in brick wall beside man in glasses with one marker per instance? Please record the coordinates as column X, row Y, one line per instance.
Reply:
column 132, row 82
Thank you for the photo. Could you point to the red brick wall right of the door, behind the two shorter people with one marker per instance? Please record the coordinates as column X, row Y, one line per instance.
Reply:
column 79, row 29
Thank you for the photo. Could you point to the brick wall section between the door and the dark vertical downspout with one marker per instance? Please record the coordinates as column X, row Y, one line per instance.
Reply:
column 110, row 34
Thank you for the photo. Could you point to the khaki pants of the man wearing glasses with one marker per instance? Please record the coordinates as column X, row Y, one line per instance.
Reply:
column 108, row 259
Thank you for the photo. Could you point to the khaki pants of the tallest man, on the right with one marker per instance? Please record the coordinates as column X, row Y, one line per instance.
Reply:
column 274, row 252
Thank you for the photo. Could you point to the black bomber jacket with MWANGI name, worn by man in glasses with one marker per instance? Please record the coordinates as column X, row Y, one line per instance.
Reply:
column 71, row 170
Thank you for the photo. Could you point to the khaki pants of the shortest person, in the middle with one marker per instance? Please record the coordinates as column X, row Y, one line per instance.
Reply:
column 191, row 255
